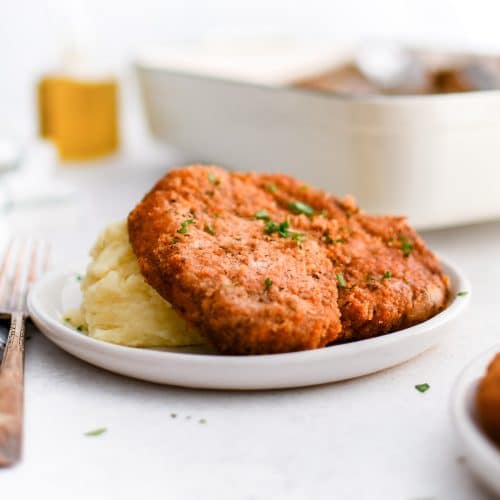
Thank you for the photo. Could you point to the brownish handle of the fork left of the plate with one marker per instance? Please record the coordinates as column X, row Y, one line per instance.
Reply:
column 11, row 392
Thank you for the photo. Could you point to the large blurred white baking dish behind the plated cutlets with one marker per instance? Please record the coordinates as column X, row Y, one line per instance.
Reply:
column 434, row 158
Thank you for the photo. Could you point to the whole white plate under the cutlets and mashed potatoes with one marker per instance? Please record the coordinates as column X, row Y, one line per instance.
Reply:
column 49, row 300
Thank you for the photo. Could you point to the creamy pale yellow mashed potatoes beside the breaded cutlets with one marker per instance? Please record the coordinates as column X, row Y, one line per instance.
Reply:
column 119, row 306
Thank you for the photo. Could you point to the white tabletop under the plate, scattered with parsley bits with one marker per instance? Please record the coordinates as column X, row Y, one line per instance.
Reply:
column 375, row 437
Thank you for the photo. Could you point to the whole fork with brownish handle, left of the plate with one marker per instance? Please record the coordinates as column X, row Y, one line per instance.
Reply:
column 23, row 261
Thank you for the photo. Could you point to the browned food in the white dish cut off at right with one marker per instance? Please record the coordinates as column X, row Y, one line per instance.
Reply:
column 488, row 400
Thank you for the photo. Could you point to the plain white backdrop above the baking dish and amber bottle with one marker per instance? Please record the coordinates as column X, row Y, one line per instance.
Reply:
column 32, row 36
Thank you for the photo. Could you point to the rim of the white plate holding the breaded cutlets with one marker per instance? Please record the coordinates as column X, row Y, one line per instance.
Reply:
column 455, row 307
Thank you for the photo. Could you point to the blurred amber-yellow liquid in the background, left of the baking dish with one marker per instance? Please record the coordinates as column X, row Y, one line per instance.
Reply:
column 80, row 117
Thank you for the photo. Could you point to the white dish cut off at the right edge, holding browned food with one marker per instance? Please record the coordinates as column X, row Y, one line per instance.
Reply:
column 482, row 456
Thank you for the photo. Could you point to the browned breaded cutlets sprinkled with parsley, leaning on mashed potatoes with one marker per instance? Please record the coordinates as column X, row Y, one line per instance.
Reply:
column 265, row 264
